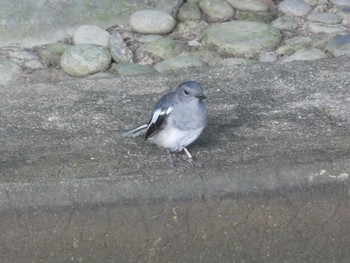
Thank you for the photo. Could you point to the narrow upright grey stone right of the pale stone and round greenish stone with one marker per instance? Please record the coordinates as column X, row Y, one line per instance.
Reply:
column 119, row 50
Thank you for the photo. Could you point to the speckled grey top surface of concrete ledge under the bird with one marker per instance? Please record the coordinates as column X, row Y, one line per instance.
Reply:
column 271, row 126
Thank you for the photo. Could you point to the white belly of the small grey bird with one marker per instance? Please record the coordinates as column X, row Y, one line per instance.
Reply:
column 174, row 139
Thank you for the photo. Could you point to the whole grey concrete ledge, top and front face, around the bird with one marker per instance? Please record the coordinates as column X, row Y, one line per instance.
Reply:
column 273, row 187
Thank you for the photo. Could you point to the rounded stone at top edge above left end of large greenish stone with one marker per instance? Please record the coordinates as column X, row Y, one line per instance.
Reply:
column 216, row 10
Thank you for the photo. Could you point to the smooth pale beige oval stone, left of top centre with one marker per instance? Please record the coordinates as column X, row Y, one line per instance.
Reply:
column 152, row 22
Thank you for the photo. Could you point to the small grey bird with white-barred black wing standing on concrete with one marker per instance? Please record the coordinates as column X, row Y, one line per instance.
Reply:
column 177, row 120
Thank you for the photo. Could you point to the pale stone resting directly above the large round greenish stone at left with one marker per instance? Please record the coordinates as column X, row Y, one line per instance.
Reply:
column 89, row 34
